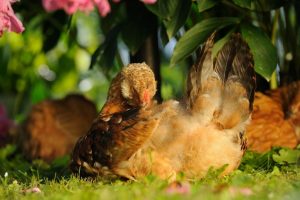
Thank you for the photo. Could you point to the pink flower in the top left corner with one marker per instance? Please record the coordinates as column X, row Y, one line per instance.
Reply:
column 8, row 20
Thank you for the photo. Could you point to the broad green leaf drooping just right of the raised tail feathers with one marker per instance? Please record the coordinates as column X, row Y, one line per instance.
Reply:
column 264, row 53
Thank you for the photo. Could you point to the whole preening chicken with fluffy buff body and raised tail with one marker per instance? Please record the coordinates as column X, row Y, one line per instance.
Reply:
column 206, row 130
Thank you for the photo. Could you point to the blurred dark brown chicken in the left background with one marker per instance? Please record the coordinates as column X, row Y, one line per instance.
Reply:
column 53, row 127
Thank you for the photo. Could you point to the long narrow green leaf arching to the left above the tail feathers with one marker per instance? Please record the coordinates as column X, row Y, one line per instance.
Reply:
column 197, row 35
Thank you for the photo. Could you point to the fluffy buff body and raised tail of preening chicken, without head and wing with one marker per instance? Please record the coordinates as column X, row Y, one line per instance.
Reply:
column 207, row 129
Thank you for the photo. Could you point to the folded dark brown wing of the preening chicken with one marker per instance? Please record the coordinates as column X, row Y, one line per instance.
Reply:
column 111, row 140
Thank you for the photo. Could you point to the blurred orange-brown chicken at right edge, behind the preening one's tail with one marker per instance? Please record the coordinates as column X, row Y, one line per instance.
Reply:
column 275, row 119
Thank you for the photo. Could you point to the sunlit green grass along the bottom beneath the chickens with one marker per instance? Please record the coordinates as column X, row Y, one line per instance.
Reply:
column 274, row 175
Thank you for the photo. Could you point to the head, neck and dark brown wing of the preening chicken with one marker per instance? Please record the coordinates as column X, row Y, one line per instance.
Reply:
column 122, row 125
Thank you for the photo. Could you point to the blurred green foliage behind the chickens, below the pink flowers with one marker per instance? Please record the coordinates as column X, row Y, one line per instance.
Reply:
column 60, row 54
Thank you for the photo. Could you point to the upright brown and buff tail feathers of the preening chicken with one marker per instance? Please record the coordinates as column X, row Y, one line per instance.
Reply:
column 221, row 89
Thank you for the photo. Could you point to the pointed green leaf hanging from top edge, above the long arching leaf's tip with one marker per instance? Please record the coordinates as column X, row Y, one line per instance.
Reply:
column 178, row 17
